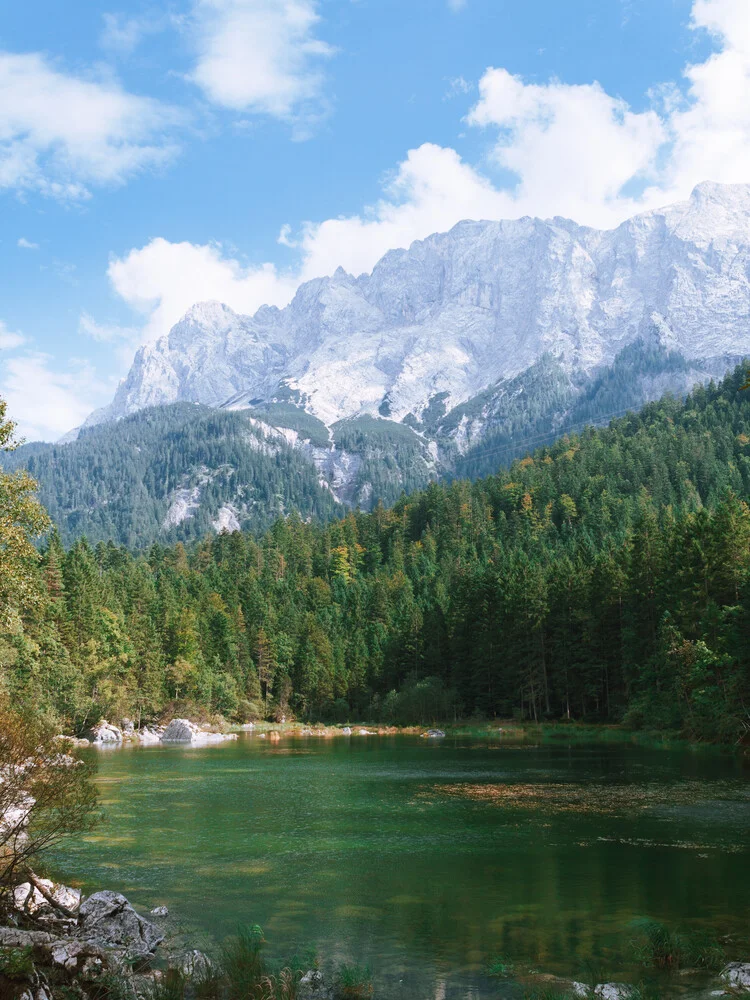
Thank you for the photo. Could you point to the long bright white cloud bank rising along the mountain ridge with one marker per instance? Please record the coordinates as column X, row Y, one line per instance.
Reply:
column 570, row 150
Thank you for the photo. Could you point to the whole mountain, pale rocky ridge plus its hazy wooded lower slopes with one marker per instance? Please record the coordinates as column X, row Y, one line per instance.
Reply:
column 450, row 359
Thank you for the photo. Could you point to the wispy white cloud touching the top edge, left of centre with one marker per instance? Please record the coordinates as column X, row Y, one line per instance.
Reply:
column 261, row 56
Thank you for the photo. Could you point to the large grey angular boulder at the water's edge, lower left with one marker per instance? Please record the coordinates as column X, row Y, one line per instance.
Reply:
column 107, row 919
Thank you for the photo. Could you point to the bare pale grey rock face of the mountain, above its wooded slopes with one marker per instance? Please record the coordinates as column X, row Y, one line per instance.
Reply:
column 465, row 310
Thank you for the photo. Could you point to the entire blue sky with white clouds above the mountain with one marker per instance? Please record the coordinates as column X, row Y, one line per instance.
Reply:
column 155, row 154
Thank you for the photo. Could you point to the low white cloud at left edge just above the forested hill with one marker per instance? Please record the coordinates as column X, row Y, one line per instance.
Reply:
column 44, row 402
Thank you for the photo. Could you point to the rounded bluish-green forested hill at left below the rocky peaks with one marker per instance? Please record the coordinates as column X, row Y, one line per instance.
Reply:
column 173, row 473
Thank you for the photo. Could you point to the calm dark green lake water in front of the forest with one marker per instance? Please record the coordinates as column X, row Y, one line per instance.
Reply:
column 424, row 859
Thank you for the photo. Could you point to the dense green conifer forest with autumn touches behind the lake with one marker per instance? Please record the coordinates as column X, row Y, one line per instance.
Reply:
column 605, row 577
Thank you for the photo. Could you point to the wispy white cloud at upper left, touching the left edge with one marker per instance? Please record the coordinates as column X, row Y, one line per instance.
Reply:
column 61, row 133
